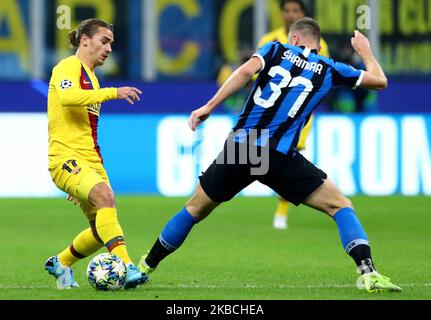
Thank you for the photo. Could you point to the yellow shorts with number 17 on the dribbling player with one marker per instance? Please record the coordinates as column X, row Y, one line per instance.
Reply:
column 77, row 177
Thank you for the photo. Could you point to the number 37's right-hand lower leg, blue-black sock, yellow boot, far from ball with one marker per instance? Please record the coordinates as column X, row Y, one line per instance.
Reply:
column 329, row 199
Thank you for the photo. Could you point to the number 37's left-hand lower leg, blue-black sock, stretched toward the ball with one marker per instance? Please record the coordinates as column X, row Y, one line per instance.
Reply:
column 177, row 230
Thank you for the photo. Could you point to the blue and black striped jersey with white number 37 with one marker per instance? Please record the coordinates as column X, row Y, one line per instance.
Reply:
column 291, row 84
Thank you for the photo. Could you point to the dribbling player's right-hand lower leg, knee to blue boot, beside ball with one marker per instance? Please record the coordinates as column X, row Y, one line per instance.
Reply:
column 111, row 233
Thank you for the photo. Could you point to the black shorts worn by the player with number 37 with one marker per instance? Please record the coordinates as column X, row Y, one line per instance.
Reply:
column 292, row 176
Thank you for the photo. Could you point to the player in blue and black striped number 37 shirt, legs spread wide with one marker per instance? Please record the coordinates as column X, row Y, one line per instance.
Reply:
column 293, row 80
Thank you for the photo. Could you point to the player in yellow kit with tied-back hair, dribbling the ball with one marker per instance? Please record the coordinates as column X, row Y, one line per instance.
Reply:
column 75, row 161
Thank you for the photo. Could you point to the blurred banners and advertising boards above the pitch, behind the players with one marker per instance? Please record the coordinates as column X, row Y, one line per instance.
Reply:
column 369, row 143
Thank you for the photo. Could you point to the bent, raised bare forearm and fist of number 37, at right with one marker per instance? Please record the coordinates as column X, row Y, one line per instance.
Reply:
column 374, row 77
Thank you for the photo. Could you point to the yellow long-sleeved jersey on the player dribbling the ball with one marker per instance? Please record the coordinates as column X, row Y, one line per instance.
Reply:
column 74, row 102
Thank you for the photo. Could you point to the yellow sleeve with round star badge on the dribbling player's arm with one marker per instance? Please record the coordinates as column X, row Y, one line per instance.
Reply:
column 66, row 80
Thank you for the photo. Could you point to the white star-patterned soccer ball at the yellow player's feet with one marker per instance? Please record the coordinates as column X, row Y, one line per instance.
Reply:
column 106, row 271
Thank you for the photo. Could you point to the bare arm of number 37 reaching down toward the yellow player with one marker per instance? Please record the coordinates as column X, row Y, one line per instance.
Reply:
column 236, row 81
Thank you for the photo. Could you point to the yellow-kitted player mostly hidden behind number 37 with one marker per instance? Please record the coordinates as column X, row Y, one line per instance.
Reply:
column 291, row 11
